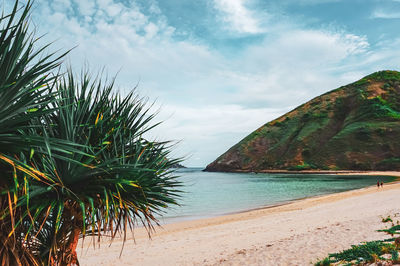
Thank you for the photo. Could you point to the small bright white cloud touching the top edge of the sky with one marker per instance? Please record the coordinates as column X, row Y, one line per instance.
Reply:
column 239, row 17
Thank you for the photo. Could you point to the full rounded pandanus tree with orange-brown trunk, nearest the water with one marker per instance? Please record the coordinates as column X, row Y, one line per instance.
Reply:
column 124, row 181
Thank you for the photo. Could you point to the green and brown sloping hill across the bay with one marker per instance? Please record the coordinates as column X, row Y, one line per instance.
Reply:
column 355, row 127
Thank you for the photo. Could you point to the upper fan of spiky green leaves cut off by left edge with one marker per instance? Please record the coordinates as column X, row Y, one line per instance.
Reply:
column 23, row 80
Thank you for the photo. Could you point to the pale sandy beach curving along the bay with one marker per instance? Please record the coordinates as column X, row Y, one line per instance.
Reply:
column 297, row 233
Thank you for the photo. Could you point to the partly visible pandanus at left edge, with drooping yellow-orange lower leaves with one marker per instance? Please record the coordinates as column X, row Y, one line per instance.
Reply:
column 24, row 75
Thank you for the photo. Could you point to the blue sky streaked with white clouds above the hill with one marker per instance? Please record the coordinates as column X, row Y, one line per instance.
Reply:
column 219, row 69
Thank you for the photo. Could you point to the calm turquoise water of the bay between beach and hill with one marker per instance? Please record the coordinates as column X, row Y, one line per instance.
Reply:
column 208, row 194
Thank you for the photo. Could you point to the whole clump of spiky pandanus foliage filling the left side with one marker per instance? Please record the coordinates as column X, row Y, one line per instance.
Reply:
column 74, row 161
